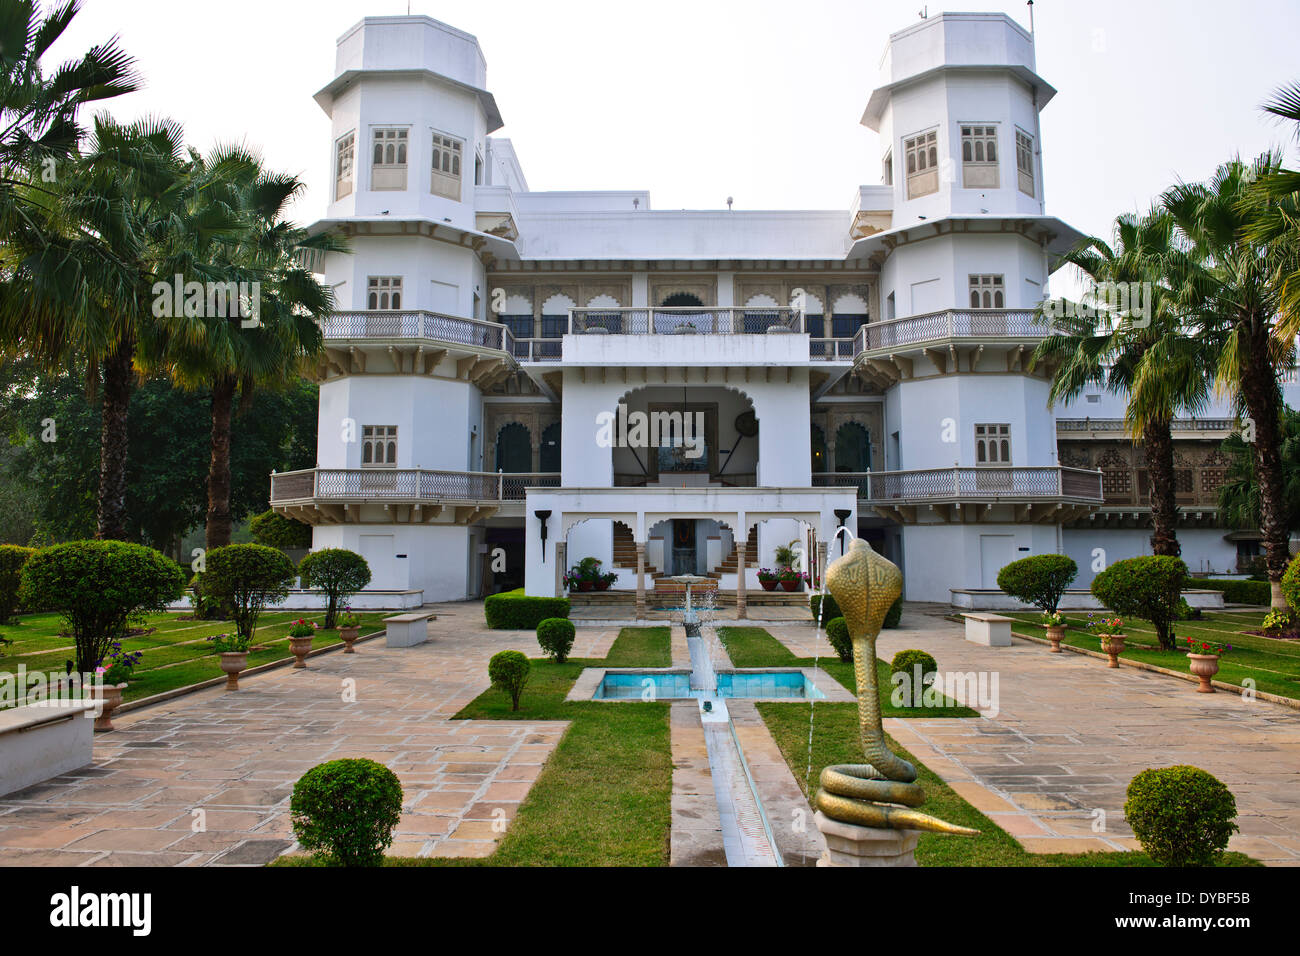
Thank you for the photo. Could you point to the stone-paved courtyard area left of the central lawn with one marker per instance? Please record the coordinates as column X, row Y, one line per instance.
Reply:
column 206, row 778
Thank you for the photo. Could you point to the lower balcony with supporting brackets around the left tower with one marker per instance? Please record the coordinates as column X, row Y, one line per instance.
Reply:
column 401, row 496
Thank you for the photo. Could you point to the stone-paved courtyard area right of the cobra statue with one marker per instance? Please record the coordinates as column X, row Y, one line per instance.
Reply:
column 1069, row 734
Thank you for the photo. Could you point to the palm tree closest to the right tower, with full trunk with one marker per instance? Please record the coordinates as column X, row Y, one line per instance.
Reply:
column 1111, row 352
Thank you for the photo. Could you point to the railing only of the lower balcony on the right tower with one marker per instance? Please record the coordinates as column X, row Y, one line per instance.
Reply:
column 969, row 485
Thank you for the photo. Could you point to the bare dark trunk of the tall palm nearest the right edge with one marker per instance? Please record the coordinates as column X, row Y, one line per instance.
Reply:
column 1262, row 400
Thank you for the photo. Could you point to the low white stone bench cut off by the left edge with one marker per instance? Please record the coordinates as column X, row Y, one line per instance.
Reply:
column 42, row 741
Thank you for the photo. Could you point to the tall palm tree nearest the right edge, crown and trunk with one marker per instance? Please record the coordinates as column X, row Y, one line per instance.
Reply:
column 1233, row 300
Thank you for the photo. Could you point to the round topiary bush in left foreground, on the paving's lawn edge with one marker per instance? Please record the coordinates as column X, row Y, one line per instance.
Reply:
column 346, row 811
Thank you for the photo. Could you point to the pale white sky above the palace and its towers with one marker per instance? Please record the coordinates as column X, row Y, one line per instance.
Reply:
column 704, row 100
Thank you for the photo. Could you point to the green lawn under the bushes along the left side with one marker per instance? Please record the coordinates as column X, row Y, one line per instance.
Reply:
column 176, row 654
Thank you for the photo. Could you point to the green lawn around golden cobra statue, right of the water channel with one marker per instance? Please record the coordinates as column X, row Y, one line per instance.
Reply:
column 835, row 741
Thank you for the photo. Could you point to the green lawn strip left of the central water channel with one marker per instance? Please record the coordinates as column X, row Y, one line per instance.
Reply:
column 605, row 795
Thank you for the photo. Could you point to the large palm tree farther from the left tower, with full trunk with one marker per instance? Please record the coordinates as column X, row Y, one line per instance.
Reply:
column 122, row 219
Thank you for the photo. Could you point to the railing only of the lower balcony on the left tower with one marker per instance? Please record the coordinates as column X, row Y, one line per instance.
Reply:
column 405, row 485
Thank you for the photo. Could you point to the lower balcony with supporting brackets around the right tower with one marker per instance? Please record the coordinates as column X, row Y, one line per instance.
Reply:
column 969, row 495
